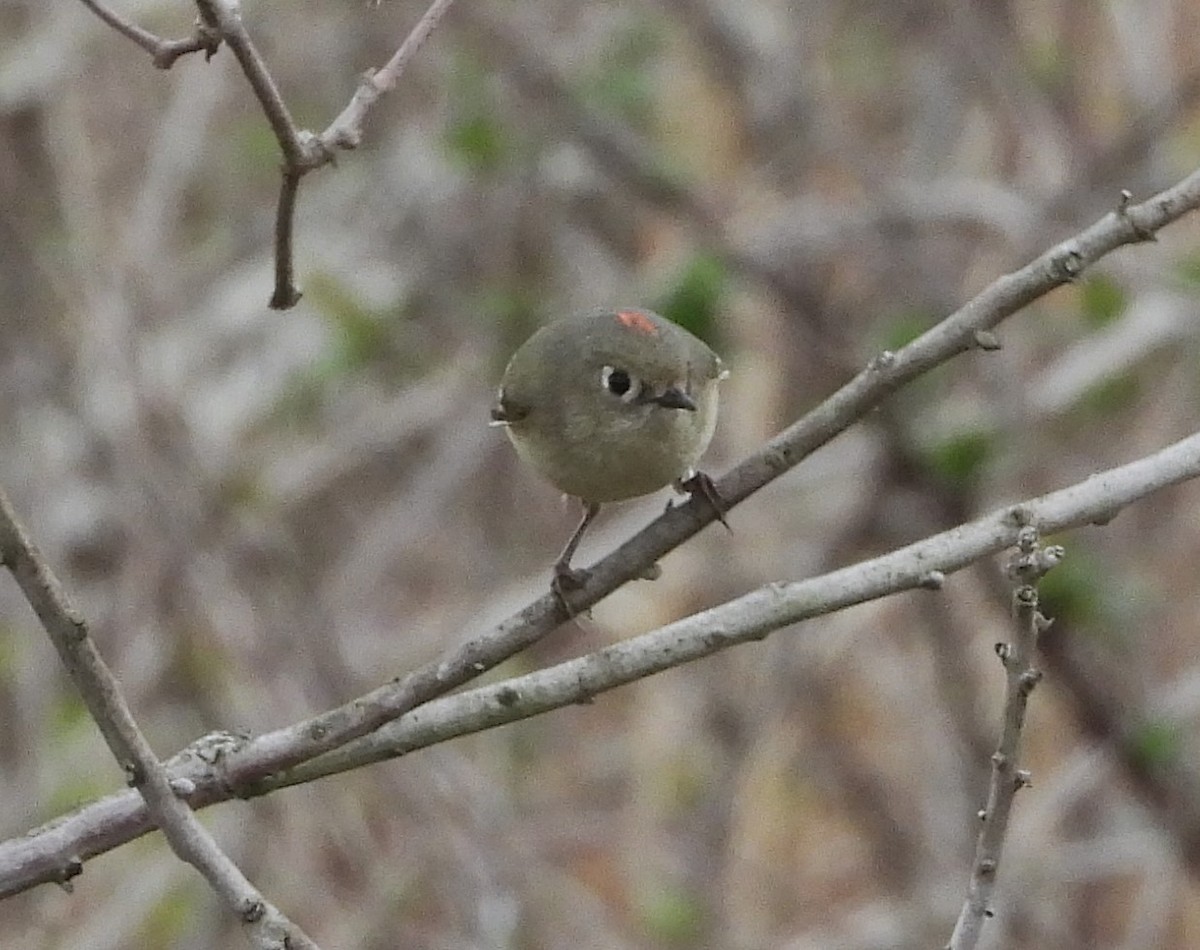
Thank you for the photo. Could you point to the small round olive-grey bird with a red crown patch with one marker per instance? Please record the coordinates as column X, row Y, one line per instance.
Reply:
column 611, row 405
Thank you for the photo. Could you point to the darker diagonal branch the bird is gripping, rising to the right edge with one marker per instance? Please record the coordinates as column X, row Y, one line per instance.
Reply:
column 963, row 332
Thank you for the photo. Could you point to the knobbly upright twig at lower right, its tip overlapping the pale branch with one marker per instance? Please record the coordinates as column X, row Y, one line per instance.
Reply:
column 1021, row 677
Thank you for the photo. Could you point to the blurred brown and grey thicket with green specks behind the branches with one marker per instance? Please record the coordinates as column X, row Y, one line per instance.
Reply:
column 267, row 514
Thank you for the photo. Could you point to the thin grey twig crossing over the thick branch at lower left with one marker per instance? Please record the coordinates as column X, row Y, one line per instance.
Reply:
column 267, row 928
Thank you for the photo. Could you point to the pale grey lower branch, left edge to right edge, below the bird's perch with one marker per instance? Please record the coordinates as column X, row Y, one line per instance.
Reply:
column 43, row 855
